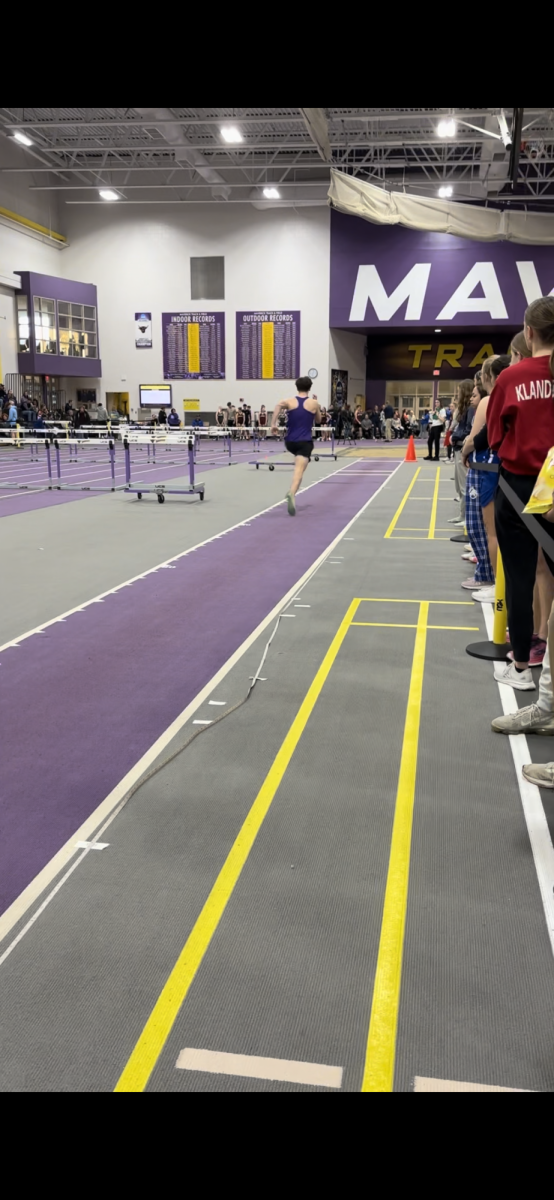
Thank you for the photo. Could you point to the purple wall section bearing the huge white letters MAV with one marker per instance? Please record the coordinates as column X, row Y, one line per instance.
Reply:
column 497, row 292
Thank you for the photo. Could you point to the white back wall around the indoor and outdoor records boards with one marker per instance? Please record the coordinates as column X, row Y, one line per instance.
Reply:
column 140, row 261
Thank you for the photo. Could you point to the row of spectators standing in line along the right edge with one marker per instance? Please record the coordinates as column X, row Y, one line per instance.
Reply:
column 502, row 430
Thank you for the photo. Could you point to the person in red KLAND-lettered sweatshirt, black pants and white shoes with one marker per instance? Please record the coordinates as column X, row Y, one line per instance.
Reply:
column 521, row 430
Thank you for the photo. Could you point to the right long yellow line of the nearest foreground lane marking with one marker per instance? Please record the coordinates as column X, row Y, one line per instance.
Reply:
column 380, row 1067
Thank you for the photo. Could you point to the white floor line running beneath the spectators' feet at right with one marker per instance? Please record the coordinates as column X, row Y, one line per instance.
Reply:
column 533, row 811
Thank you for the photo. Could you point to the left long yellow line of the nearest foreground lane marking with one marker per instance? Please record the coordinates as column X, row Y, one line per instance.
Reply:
column 150, row 1045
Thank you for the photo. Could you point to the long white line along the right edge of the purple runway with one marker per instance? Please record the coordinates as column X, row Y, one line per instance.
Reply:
column 112, row 805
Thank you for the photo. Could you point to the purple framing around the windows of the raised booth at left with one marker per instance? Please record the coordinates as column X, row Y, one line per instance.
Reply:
column 51, row 287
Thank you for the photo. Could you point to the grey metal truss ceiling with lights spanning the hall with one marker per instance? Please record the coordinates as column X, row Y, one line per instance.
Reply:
column 80, row 151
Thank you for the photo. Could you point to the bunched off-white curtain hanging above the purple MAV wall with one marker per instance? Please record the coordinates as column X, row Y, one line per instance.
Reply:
column 362, row 200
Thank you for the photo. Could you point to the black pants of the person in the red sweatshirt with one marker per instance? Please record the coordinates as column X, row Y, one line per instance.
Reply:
column 520, row 550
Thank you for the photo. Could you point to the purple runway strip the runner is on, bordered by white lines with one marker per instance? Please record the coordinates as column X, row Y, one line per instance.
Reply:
column 99, row 701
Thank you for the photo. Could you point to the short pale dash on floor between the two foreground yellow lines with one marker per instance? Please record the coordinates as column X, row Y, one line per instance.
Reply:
column 254, row 1067
